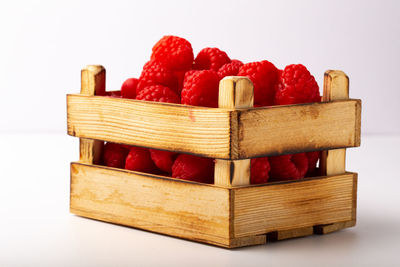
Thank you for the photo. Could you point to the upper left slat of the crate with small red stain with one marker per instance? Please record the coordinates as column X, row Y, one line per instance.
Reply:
column 197, row 130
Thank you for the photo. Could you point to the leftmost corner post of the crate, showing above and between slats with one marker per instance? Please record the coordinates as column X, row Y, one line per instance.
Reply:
column 93, row 82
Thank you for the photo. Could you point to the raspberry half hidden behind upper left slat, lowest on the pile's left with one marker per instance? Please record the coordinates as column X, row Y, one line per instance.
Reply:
column 158, row 93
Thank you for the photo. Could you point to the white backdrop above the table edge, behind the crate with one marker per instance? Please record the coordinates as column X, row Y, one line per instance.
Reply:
column 44, row 44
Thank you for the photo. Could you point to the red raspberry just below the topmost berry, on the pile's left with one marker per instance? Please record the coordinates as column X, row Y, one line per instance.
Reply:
column 156, row 73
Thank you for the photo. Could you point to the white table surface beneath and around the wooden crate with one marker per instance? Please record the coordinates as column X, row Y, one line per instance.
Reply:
column 36, row 228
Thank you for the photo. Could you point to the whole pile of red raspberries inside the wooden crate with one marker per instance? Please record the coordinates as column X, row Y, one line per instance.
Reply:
column 174, row 75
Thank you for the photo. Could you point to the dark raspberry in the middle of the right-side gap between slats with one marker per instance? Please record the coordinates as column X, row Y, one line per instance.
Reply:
column 288, row 167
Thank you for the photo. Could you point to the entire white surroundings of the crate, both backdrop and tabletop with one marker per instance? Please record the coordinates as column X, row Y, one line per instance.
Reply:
column 43, row 46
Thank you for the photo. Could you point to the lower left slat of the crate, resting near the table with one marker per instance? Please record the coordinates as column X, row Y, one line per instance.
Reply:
column 154, row 203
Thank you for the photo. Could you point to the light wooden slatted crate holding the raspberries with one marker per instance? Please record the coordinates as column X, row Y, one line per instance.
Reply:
column 231, row 212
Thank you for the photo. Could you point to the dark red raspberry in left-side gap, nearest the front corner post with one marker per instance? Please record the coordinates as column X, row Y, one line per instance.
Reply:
column 193, row 168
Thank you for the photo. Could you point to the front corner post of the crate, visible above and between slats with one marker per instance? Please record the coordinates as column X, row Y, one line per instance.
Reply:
column 234, row 93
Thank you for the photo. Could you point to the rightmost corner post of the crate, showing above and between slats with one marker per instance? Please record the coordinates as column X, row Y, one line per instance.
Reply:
column 336, row 87
